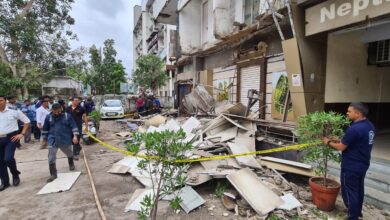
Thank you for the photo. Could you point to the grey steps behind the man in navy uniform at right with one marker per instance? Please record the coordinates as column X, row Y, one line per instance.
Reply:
column 377, row 182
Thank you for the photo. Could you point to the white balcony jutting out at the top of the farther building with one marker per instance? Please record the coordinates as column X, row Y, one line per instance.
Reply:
column 164, row 11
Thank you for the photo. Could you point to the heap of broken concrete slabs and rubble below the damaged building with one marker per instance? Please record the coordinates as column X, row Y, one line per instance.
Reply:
column 259, row 189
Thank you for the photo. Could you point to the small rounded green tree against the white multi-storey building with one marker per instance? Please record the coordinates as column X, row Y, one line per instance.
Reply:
column 150, row 72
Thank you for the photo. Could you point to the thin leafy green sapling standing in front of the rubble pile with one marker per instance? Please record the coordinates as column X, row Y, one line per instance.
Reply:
column 166, row 176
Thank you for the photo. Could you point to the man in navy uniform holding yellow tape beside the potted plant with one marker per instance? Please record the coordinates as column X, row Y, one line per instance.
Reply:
column 356, row 148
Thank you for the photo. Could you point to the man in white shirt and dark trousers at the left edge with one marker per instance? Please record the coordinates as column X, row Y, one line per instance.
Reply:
column 9, row 140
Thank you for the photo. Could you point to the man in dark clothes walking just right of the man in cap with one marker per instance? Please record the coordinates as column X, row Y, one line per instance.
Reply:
column 79, row 115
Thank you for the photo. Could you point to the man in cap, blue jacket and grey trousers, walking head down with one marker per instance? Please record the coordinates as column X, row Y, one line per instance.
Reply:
column 59, row 131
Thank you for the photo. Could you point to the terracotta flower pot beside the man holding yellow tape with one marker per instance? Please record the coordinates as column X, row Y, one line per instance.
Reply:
column 324, row 197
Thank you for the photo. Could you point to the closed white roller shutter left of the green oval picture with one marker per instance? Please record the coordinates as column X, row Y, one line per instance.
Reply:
column 250, row 79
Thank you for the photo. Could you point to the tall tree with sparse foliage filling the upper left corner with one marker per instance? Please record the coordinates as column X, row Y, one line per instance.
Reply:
column 34, row 34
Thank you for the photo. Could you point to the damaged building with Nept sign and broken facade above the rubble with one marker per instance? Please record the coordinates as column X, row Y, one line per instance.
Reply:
column 284, row 59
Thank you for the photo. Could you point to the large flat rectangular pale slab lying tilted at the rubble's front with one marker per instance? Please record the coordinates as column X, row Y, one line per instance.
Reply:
column 261, row 199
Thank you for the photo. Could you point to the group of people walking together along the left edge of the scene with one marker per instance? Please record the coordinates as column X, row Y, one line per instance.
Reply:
column 55, row 124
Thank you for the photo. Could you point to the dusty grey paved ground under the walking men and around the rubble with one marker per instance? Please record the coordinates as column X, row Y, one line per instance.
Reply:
column 114, row 191
